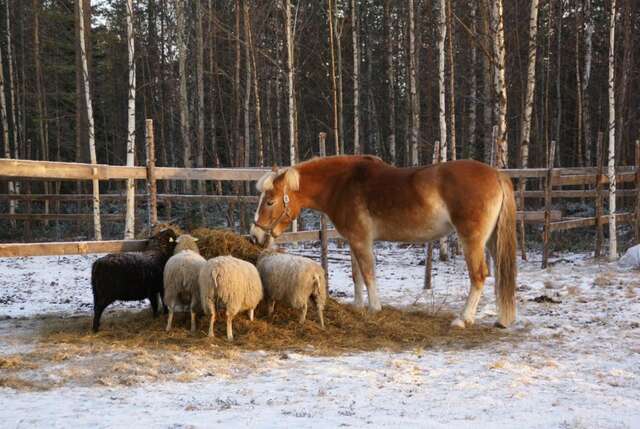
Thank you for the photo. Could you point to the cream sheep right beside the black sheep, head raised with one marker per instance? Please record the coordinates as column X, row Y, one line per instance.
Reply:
column 181, row 278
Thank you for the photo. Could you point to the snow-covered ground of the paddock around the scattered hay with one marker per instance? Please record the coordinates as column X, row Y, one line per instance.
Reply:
column 570, row 363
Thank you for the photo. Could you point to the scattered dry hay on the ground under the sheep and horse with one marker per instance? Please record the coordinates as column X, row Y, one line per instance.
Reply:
column 133, row 348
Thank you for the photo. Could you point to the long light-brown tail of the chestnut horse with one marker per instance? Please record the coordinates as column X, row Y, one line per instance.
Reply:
column 504, row 254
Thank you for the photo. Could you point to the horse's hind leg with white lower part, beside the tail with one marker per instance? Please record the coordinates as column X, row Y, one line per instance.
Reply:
column 478, row 271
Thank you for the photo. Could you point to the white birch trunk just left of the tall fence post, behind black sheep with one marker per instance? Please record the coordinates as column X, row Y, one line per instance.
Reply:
column 131, row 125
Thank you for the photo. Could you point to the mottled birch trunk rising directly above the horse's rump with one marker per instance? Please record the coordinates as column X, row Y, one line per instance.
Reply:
column 500, row 83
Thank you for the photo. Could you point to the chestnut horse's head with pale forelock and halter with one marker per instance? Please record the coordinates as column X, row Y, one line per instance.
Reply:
column 277, row 207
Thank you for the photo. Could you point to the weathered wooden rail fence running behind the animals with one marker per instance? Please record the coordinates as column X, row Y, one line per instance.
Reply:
column 586, row 183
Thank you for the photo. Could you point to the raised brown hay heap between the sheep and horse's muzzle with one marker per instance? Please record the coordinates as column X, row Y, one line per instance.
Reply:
column 219, row 242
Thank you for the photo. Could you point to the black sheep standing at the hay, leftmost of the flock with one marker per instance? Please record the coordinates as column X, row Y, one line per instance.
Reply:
column 131, row 276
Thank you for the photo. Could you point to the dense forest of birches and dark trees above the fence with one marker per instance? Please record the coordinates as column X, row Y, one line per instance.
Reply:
column 253, row 83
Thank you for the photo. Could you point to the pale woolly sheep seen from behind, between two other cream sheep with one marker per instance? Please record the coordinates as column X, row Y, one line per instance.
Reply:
column 232, row 282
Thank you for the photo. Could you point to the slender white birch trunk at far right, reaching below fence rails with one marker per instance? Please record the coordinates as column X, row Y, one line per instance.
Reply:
column 613, row 245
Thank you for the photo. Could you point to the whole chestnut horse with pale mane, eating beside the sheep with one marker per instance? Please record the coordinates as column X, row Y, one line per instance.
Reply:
column 369, row 200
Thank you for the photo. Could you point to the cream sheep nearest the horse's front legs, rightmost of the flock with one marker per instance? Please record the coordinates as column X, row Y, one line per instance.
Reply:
column 293, row 280
